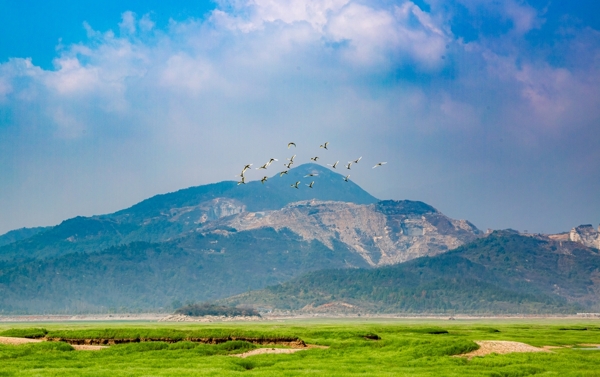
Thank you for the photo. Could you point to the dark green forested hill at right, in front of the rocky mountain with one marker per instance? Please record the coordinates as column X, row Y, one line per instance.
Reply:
column 505, row 272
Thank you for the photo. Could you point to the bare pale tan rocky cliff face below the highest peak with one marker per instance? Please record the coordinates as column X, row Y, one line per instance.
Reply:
column 385, row 233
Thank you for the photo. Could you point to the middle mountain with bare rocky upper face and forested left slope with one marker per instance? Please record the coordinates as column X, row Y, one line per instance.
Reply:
column 250, row 250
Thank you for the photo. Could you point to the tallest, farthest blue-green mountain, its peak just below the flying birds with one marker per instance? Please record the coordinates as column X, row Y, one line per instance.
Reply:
column 169, row 216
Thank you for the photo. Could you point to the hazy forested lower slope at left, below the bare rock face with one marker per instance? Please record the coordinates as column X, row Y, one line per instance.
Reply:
column 148, row 276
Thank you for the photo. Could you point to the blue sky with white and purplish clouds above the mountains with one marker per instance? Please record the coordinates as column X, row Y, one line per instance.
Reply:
column 487, row 110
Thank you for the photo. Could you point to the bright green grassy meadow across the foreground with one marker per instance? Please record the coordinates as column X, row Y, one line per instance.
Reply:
column 404, row 348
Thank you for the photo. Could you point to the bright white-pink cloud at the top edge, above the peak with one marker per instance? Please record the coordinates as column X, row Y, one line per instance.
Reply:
column 366, row 34
